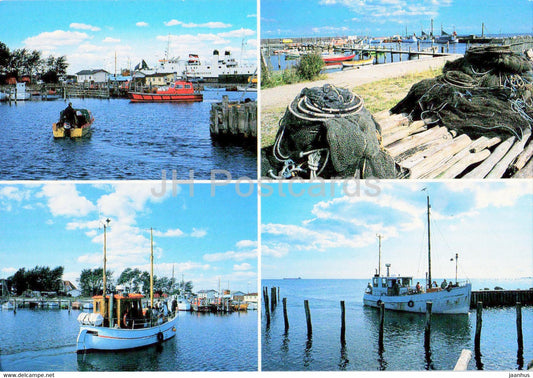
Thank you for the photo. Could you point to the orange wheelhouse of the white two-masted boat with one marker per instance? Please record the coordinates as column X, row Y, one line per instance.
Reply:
column 126, row 310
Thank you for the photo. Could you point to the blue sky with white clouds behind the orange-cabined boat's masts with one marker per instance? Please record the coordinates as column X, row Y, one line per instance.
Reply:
column 203, row 237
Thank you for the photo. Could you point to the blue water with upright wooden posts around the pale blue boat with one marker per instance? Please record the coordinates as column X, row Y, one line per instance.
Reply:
column 403, row 333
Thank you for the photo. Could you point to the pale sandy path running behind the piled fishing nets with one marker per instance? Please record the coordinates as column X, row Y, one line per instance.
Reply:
column 273, row 98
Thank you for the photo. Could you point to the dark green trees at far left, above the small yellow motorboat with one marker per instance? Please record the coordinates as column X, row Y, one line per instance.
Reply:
column 31, row 63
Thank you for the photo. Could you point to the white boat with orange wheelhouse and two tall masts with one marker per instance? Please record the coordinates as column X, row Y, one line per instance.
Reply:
column 119, row 322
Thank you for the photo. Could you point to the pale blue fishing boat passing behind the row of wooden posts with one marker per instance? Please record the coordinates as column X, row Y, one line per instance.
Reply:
column 398, row 293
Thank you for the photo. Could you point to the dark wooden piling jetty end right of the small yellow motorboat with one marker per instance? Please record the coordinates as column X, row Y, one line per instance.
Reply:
column 233, row 120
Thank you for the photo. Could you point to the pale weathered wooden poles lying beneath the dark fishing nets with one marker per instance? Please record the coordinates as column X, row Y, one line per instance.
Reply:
column 439, row 153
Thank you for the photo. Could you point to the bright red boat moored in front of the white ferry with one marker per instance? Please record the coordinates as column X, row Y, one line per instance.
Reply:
column 179, row 91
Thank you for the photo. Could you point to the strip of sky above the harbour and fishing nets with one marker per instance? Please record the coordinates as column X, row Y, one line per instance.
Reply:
column 313, row 18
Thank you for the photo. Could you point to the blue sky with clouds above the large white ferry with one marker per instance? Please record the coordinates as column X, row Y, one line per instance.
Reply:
column 90, row 32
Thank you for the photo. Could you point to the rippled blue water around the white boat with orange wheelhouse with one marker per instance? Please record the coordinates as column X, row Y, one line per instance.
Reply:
column 45, row 340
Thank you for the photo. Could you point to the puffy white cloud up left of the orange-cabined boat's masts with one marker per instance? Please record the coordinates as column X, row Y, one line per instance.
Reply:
column 63, row 199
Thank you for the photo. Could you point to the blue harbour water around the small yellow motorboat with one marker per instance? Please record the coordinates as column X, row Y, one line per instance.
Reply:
column 129, row 141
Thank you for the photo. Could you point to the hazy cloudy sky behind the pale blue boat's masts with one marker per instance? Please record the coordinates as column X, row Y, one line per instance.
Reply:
column 489, row 224
